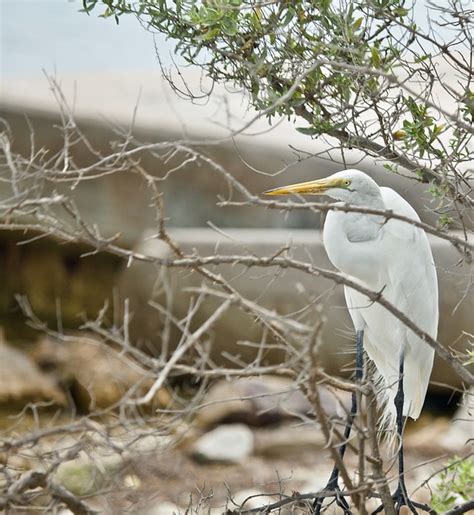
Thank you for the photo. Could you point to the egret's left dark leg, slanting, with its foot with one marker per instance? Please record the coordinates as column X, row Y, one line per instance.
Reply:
column 332, row 484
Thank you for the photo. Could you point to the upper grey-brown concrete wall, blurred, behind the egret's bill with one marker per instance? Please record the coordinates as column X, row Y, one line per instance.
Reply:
column 119, row 203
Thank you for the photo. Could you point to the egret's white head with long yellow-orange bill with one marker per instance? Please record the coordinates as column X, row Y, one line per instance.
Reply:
column 350, row 186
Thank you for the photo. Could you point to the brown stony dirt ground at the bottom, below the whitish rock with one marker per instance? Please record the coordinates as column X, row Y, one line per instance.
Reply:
column 162, row 484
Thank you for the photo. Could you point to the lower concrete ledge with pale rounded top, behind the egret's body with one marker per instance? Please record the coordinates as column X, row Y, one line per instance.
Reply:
column 285, row 291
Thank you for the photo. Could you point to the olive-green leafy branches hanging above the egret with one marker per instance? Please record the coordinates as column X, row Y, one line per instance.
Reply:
column 362, row 74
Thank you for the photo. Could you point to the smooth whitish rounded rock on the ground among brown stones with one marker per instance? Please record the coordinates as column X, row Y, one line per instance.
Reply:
column 225, row 444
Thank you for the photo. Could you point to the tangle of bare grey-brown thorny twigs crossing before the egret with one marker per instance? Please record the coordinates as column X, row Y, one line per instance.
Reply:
column 36, row 208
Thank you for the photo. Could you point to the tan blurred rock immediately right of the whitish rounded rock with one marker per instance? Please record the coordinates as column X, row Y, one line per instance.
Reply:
column 288, row 440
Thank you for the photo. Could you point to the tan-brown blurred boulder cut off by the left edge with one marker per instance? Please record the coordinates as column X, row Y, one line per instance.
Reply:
column 21, row 381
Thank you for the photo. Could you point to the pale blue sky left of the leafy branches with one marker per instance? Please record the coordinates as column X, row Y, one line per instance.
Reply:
column 53, row 34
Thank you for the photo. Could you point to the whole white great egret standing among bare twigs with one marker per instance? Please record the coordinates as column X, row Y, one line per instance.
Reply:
column 390, row 256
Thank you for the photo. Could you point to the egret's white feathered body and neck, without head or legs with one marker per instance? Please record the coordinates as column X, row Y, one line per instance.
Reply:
column 393, row 257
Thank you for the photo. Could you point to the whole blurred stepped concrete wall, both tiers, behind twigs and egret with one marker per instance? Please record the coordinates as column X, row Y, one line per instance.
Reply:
column 116, row 204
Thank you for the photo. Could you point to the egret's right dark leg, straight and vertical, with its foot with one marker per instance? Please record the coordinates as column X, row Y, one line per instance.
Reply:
column 400, row 497
